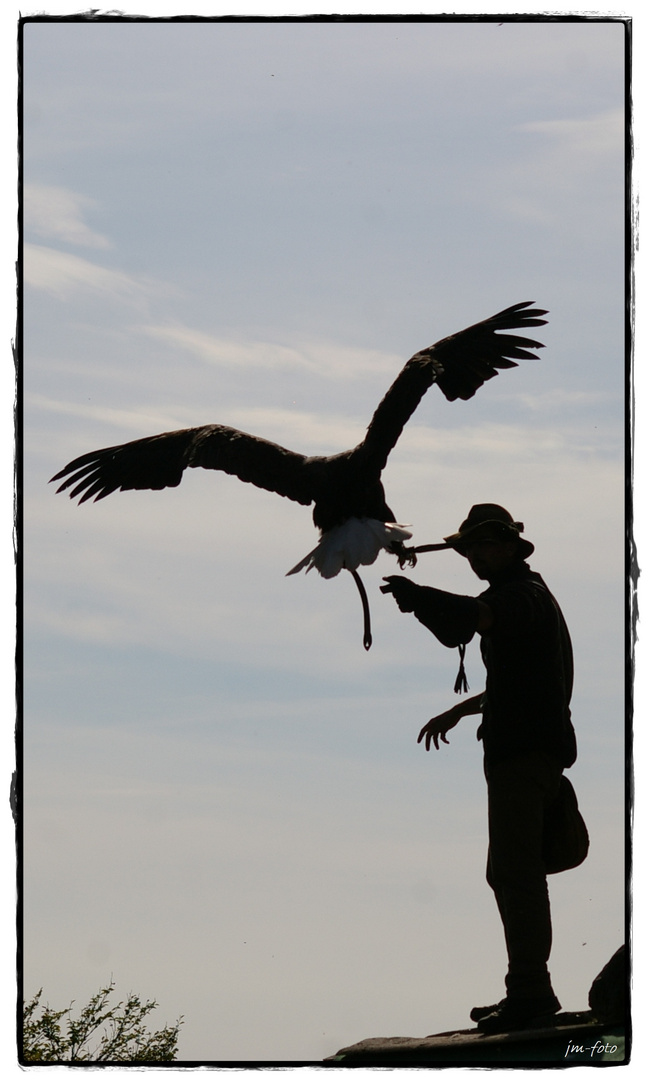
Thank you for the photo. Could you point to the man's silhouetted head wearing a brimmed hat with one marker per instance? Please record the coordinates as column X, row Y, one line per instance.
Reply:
column 490, row 539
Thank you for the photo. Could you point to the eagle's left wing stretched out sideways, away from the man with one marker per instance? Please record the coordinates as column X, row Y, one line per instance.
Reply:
column 160, row 461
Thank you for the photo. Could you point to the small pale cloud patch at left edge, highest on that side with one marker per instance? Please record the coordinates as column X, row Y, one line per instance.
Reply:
column 58, row 214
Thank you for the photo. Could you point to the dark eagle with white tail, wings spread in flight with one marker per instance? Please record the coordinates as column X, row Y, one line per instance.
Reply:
column 350, row 508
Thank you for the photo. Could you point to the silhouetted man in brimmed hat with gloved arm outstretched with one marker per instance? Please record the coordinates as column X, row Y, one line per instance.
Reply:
column 526, row 732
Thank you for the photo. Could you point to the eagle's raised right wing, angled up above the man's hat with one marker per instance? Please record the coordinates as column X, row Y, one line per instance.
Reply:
column 460, row 364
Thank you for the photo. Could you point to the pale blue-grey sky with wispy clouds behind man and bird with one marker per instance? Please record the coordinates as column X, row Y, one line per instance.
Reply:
column 258, row 225
